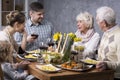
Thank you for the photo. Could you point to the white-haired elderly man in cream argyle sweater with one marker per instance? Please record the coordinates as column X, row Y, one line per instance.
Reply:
column 109, row 50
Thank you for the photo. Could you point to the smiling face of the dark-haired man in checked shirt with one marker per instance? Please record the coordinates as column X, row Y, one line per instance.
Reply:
column 37, row 17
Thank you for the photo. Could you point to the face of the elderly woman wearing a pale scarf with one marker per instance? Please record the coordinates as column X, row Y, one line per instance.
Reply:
column 82, row 26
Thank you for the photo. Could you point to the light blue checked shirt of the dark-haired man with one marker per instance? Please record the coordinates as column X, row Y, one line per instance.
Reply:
column 44, row 29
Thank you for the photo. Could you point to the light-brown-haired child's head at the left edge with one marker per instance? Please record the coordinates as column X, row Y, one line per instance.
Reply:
column 5, row 52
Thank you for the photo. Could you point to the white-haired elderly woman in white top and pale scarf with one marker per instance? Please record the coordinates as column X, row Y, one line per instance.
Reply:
column 86, row 31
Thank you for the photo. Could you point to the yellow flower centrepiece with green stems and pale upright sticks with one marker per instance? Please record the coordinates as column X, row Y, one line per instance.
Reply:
column 65, row 41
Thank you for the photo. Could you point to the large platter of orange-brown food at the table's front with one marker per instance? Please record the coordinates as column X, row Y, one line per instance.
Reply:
column 79, row 67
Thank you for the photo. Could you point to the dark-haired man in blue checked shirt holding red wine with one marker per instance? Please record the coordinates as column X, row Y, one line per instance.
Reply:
column 36, row 25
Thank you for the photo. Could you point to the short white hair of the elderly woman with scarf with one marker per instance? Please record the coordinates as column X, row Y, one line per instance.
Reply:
column 87, row 18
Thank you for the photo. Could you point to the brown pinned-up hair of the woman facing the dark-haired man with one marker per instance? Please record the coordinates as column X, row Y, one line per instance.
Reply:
column 15, row 16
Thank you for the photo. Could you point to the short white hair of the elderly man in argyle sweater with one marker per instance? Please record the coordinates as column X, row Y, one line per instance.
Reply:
column 107, row 14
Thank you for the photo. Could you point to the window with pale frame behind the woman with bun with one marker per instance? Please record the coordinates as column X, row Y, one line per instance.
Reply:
column 11, row 5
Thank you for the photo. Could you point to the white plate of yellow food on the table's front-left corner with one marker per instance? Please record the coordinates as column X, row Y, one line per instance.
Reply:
column 48, row 68
